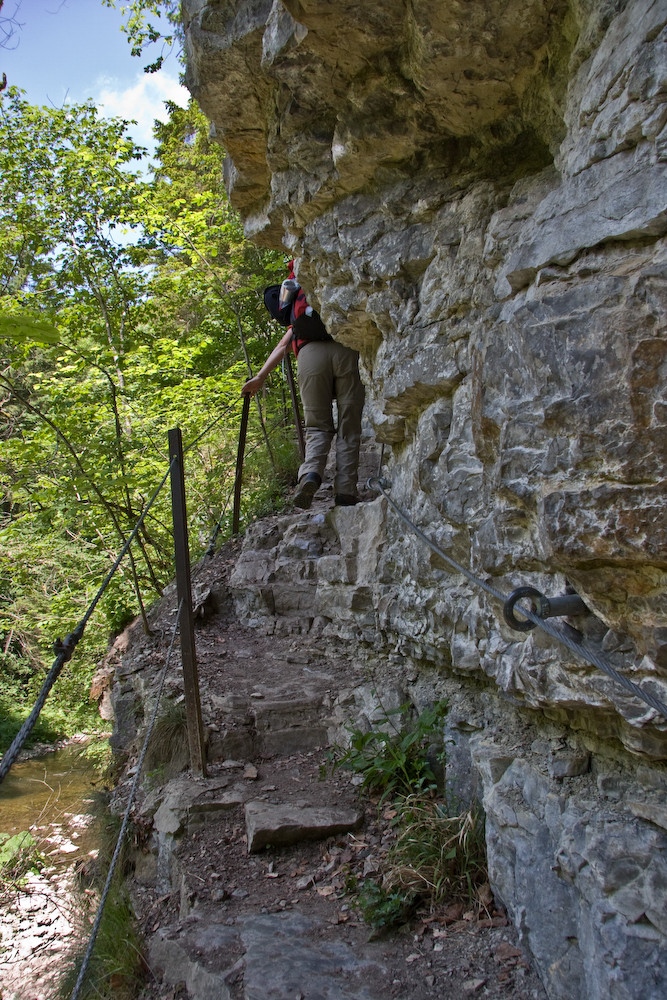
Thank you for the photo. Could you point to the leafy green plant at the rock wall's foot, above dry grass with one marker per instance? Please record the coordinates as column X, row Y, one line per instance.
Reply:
column 397, row 760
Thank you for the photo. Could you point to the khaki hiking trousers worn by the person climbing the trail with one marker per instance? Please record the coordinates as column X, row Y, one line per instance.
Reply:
column 328, row 370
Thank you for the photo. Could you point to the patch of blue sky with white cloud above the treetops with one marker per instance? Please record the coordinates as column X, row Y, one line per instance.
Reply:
column 65, row 51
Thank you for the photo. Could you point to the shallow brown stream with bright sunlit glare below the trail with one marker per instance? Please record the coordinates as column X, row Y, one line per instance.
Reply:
column 52, row 797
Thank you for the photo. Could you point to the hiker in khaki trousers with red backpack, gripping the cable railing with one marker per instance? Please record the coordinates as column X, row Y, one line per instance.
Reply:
column 326, row 371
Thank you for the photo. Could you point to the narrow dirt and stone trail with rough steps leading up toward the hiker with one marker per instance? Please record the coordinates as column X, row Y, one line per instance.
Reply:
column 242, row 881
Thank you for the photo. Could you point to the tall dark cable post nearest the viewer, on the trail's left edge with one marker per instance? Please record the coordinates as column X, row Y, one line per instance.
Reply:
column 185, row 619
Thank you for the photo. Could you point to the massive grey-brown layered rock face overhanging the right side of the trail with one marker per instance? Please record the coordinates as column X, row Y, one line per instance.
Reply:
column 476, row 197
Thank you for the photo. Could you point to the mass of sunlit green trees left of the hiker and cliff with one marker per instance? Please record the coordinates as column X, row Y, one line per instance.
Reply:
column 156, row 299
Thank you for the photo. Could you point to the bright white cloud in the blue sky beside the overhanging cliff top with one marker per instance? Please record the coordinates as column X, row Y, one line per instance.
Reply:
column 141, row 101
